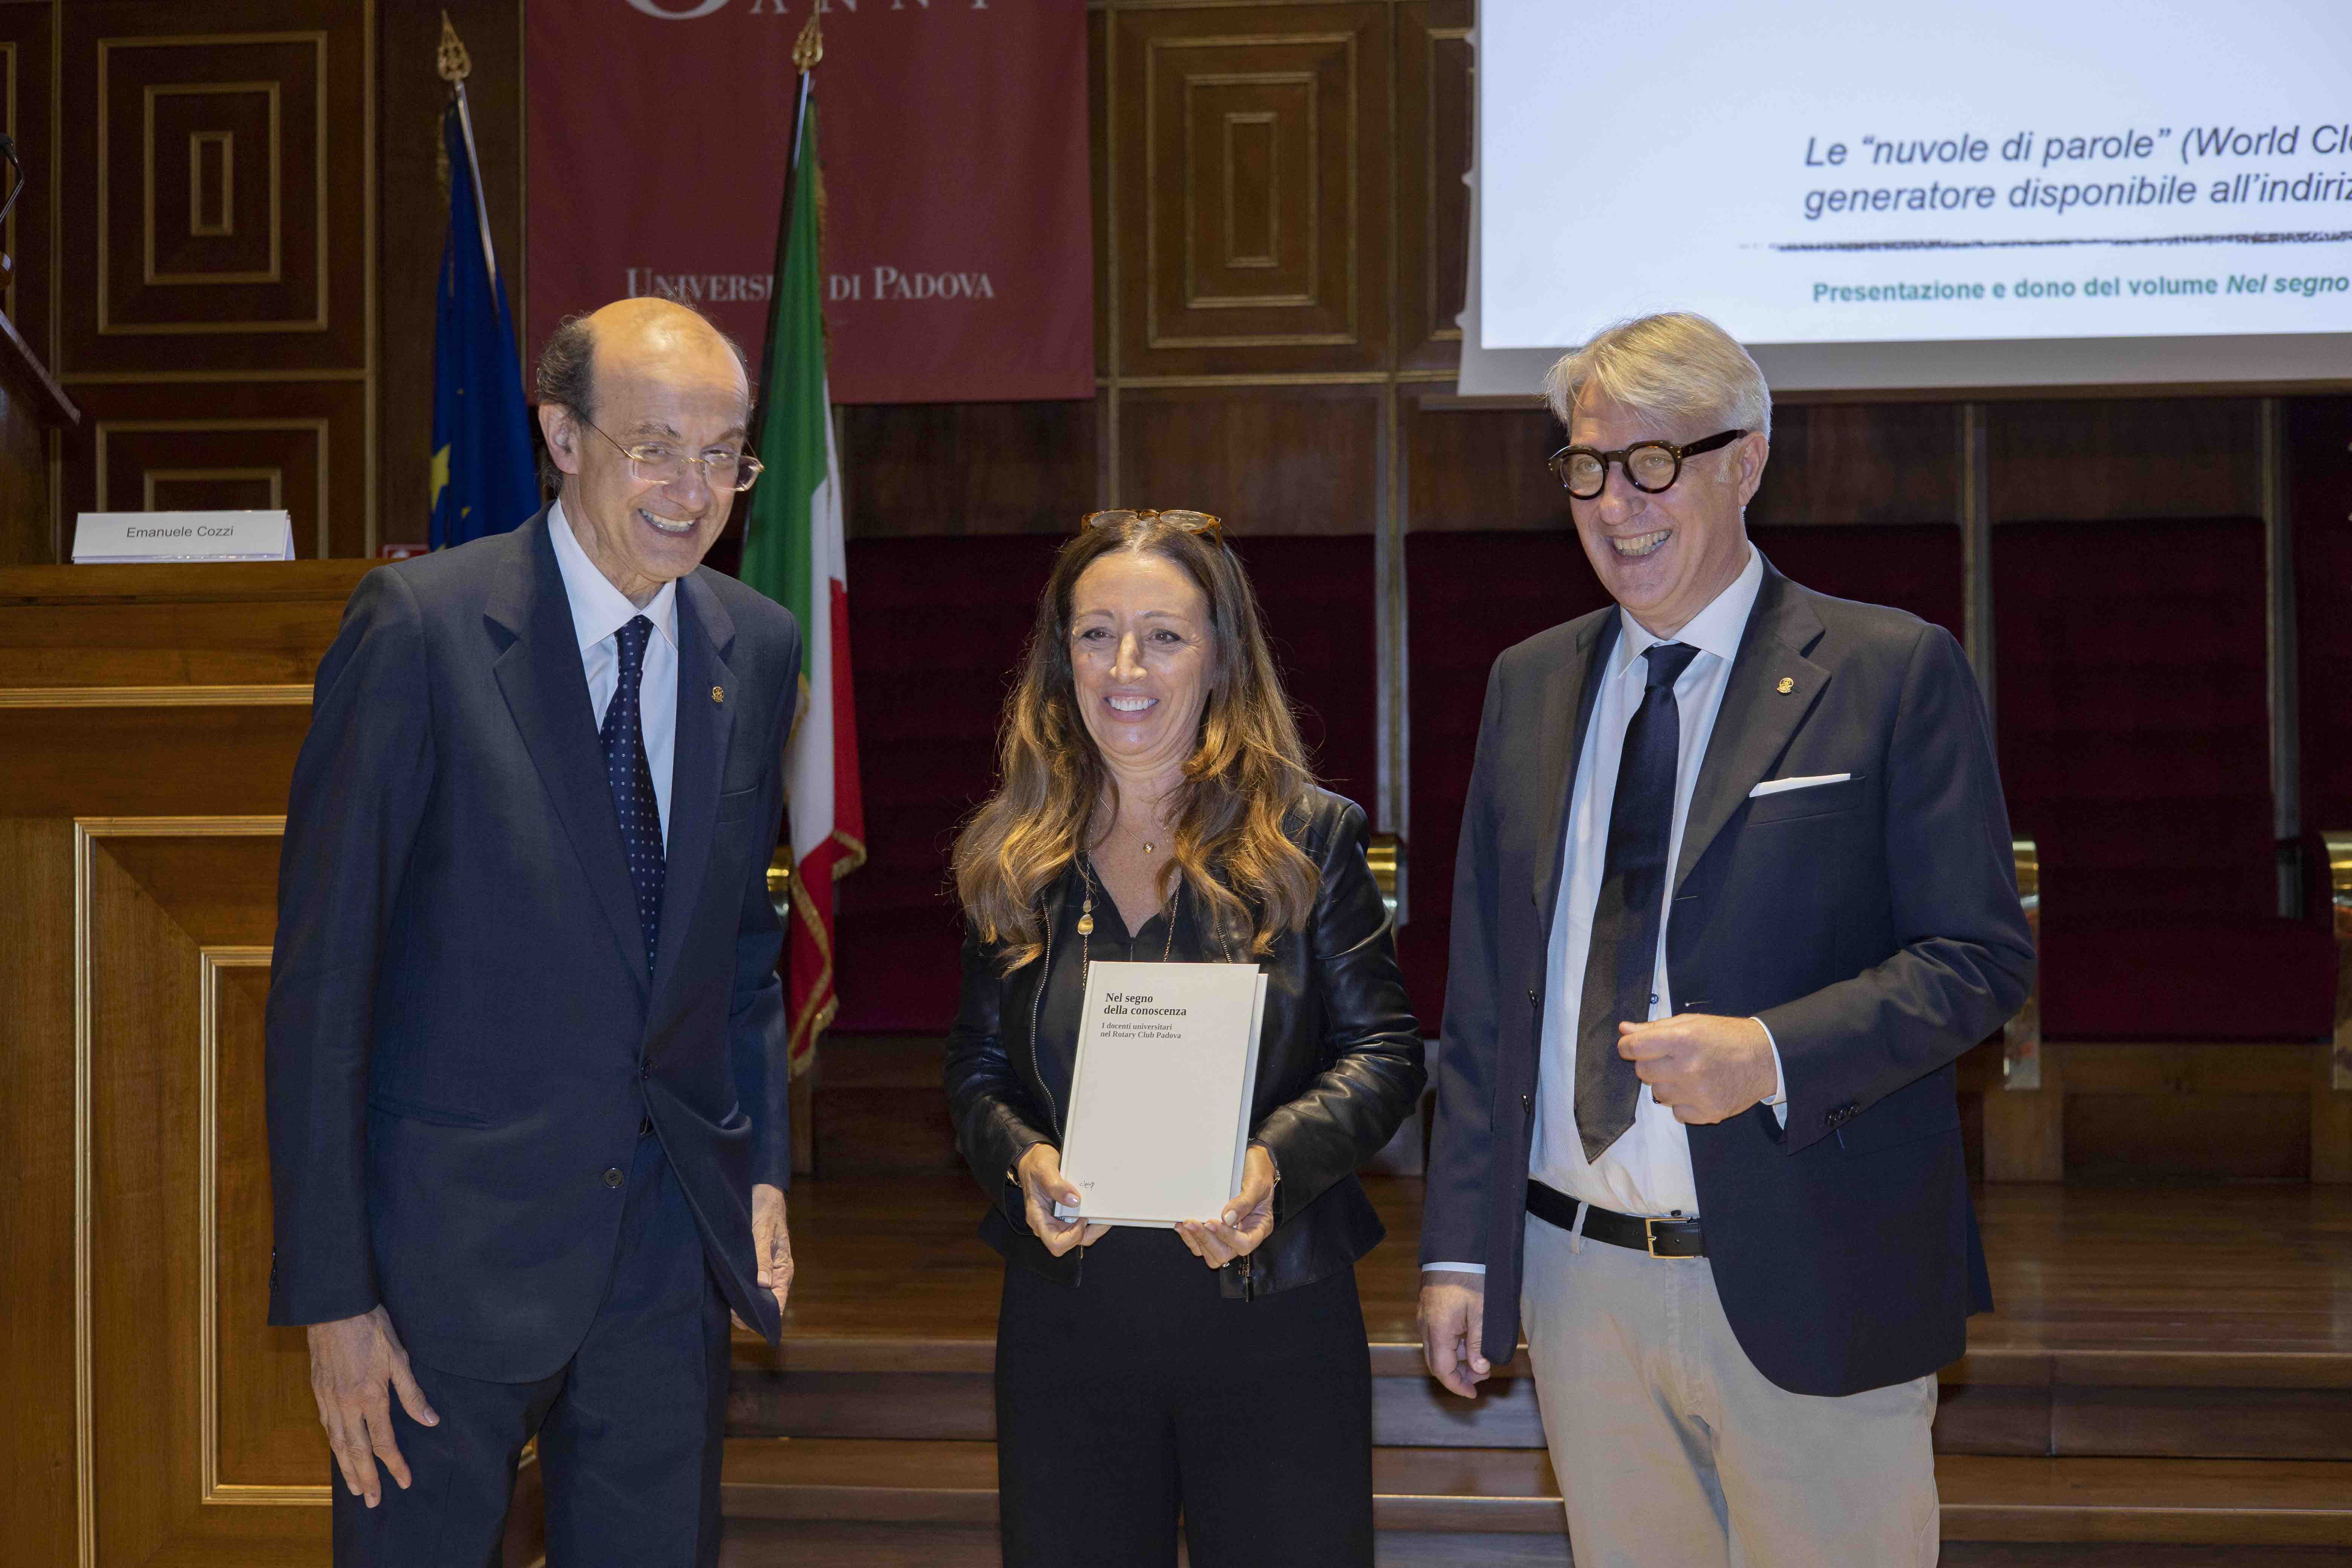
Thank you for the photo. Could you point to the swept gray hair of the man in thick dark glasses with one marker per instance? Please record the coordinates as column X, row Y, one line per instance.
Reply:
column 1678, row 366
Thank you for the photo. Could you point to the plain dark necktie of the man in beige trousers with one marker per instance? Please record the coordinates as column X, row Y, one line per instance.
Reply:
column 1622, row 972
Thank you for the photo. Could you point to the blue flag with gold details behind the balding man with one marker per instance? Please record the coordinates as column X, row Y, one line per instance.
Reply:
column 483, row 469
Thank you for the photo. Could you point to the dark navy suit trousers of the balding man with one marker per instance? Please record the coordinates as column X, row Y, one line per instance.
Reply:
column 629, row 1430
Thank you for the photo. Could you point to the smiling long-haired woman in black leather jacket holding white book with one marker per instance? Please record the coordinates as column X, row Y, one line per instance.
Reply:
column 1156, row 805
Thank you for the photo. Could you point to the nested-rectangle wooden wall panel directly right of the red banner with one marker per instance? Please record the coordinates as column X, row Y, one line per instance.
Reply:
column 1250, row 185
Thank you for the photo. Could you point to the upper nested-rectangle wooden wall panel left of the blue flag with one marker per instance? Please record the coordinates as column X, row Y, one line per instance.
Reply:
column 281, row 281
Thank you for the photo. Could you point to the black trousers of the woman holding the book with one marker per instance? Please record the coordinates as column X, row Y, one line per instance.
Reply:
column 1144, row 1395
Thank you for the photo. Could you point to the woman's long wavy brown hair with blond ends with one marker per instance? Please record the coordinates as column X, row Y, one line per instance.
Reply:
column 1245, row 777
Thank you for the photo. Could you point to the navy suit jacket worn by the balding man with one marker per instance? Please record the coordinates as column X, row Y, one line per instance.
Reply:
column 462, row 1031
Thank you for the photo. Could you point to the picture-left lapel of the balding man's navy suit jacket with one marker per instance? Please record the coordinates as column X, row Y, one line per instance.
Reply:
column 547, row 692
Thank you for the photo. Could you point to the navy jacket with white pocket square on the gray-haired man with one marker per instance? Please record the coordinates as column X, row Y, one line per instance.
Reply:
column 1873, row 925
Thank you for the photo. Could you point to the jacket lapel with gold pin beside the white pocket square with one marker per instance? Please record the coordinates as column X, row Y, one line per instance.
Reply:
column 1758, row 718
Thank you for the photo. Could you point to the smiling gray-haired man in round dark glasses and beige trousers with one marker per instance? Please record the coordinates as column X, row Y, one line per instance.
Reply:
column 1735, row 892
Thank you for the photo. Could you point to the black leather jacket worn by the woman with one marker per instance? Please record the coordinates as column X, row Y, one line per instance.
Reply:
column 1339, row 1064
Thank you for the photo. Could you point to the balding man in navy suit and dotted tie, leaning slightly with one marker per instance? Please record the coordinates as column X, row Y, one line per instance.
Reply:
column 526, row 1038
